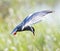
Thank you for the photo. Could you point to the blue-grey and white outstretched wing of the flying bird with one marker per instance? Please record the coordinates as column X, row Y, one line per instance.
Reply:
column 35, row 17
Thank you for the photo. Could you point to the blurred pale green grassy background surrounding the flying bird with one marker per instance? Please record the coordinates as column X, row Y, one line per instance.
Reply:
column 47, row 32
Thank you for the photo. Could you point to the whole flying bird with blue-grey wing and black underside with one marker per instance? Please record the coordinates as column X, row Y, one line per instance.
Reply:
column 26, row 24
